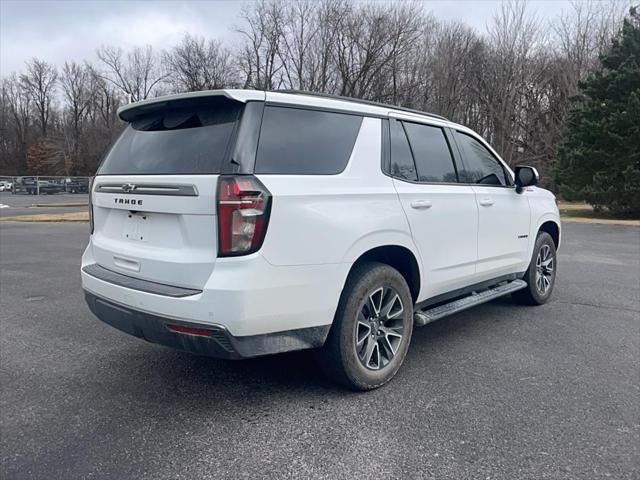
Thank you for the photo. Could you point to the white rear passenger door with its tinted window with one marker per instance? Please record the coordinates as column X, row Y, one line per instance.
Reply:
column 442, row 213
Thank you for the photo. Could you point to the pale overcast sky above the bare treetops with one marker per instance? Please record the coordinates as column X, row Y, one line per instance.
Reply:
column 72, row 30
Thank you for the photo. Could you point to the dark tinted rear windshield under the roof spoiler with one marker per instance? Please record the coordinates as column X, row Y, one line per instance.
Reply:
column 174, row 141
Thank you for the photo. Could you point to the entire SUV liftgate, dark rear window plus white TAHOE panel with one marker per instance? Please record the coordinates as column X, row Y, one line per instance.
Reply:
column 154, row 194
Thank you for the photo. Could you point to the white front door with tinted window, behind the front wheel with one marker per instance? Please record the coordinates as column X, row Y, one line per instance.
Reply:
column 504, row 215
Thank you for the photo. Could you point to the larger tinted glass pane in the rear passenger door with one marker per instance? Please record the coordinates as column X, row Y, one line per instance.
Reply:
column 431, row 153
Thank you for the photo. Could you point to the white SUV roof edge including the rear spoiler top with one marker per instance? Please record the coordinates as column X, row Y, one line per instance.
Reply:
column 291, row 97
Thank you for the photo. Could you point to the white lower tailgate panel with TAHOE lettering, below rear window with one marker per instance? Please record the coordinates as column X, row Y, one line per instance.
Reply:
column 163, row 229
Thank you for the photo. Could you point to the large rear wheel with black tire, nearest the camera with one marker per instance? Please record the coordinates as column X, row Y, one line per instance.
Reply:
column 340, row 356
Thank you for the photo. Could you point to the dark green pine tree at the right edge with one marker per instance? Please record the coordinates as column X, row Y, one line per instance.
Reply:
column 599, row 161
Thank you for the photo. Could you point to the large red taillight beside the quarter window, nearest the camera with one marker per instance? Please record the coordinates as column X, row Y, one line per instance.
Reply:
column 244, row 204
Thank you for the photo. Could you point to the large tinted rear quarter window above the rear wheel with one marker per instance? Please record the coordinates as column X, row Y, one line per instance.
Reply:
column 306, row 142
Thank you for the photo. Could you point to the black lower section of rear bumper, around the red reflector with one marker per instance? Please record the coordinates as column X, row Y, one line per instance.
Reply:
column 218, row 342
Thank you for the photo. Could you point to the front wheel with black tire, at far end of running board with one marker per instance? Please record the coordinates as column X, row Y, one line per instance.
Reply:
column 534, row 294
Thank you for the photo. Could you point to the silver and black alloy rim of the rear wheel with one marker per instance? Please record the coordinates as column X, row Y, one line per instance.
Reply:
column 379, row 328
